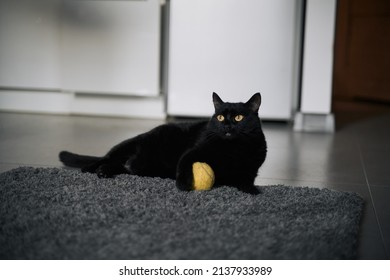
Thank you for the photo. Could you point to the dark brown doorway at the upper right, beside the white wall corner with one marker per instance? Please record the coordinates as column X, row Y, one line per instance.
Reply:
column 361, row 81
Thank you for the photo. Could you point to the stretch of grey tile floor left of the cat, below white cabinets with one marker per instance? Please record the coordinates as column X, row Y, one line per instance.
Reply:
column 37, row 139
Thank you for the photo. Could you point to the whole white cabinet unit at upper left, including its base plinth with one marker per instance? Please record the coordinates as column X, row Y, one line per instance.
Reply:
column 81, row 57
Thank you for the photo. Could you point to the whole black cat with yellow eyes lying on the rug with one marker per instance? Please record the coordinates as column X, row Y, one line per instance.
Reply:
column 231, row 142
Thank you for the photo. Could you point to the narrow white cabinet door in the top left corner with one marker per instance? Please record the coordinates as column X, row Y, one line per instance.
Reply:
column 30, row 51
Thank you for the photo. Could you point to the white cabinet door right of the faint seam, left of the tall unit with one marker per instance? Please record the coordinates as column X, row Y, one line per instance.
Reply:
column 111, row 47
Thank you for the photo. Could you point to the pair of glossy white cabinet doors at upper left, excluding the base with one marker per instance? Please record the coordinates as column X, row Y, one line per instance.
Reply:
column 109, row 47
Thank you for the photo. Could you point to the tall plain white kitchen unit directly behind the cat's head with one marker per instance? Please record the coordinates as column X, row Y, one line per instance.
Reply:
column 235, row 48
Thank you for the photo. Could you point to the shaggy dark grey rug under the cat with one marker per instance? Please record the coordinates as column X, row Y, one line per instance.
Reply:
column 49, row 213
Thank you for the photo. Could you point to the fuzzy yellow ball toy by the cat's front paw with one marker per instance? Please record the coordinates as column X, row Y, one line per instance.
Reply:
column 203, row 176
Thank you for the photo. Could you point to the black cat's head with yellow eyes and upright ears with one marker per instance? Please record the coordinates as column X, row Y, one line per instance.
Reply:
column 232, row 120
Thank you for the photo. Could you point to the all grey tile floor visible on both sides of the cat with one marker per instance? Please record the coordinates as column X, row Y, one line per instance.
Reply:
column 355, row 158
